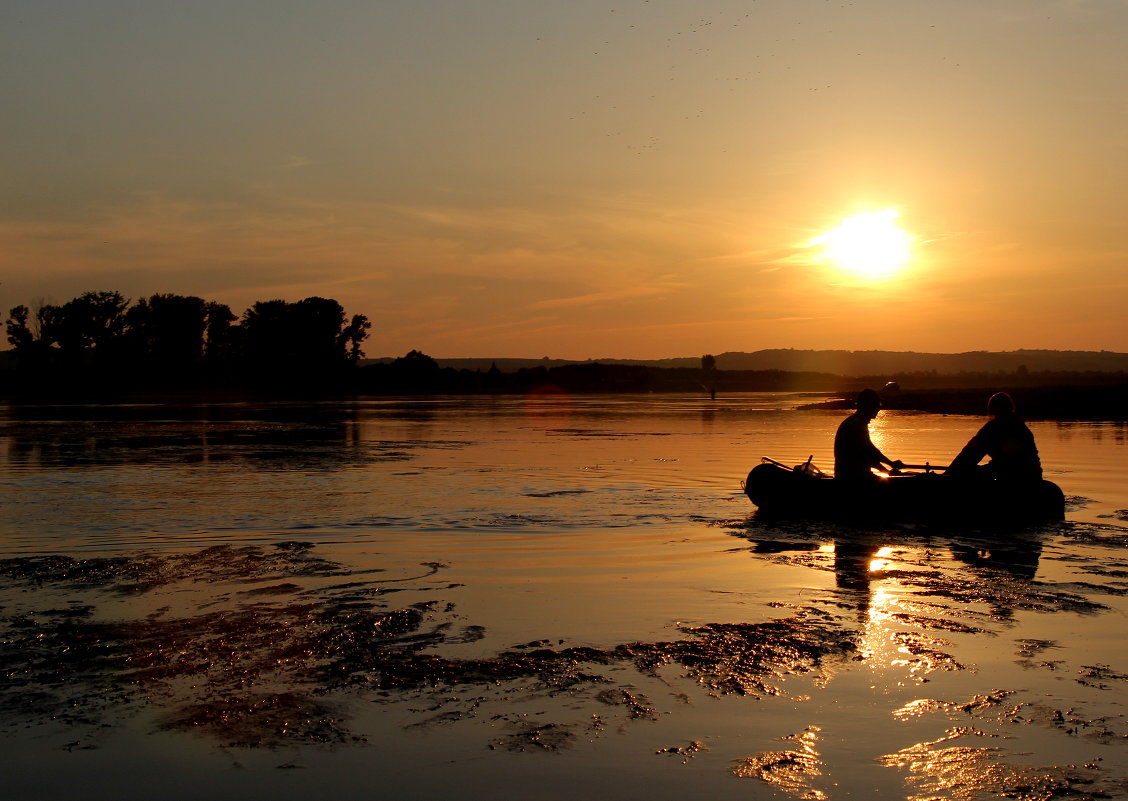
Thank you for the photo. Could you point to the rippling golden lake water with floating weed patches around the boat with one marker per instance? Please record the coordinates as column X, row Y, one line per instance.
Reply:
column 550, row 596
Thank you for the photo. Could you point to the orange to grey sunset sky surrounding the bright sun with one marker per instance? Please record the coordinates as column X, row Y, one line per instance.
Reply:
column 579, row 180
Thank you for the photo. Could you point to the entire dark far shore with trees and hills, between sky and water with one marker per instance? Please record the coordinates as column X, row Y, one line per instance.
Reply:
column 103, row 347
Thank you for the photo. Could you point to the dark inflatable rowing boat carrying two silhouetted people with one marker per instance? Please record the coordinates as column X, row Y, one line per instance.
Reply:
column 803, row 492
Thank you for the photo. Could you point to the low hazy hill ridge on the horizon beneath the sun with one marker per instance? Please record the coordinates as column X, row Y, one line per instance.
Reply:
column 853, row 364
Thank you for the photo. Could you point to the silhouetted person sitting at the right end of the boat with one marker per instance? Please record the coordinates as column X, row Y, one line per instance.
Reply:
column 1007, row 441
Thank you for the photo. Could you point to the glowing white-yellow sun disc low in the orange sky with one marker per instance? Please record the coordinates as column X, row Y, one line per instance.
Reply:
column 869, row 247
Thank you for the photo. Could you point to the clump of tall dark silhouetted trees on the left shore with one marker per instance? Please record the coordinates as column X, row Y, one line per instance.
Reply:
column 105, row 341
